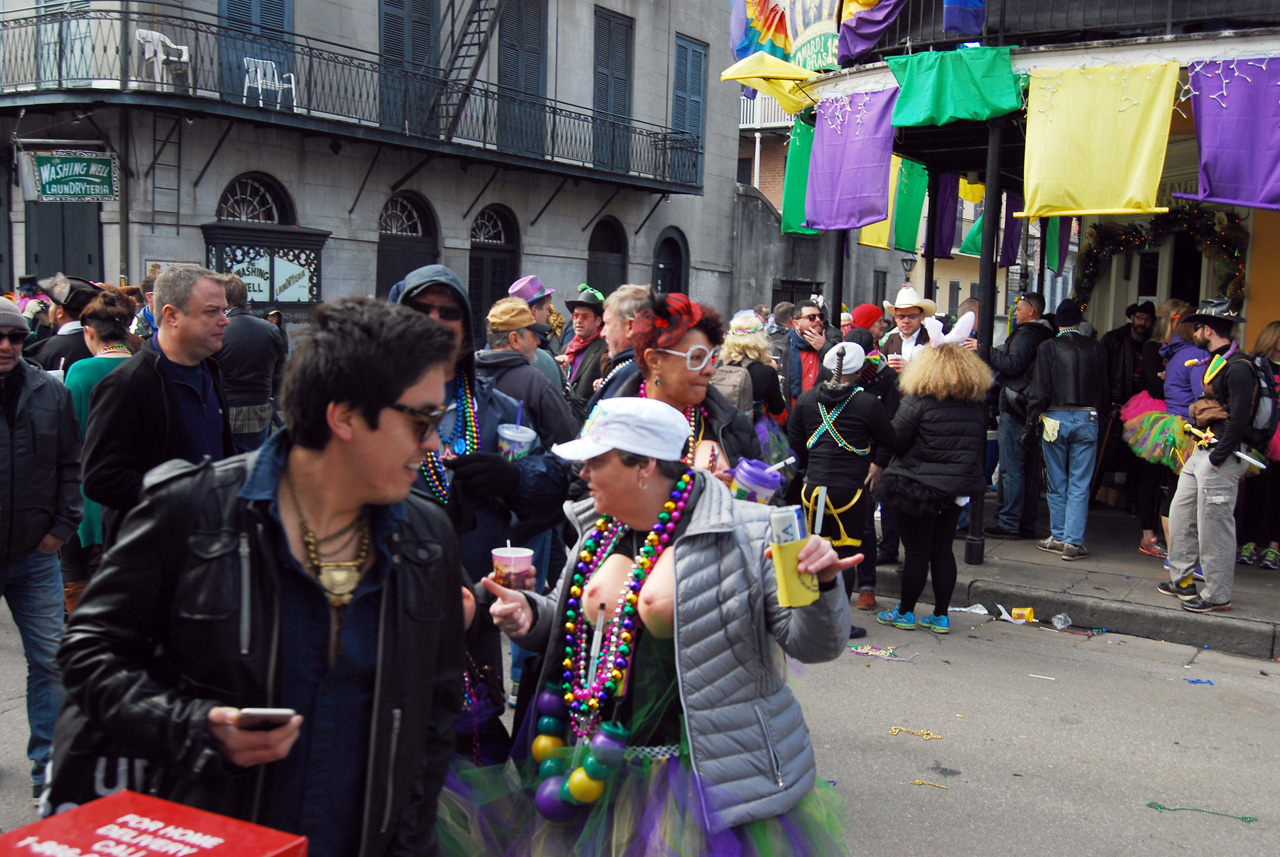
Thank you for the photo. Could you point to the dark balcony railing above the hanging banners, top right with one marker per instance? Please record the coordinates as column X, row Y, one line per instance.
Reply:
column 1048, row 22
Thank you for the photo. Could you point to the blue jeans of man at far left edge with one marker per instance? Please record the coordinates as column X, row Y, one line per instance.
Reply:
column 34, row 590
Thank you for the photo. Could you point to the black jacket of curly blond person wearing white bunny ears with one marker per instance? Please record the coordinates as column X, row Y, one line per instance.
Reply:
column 944, row 444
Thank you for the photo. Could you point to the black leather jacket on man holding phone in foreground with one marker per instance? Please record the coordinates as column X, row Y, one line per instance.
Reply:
column 184, row 616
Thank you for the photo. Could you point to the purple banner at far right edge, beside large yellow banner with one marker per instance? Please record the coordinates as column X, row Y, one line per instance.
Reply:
column 1238, row 131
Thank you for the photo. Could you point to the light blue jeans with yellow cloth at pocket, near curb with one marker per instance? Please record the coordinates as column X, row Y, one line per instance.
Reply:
column 1069, row 462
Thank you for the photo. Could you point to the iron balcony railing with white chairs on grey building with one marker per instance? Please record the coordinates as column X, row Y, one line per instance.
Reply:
column 292, row 77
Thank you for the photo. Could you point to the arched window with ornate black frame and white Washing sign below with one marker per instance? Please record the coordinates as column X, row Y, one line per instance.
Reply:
column 257, row 237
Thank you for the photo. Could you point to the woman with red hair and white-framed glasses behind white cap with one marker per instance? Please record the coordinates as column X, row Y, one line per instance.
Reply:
column 678, row 347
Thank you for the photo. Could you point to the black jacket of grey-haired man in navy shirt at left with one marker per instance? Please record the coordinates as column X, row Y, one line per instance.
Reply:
column 134, row 427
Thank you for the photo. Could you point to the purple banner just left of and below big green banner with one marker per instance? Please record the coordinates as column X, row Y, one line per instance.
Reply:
column 849, row 171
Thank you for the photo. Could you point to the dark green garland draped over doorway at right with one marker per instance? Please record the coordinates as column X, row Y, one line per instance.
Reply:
column 1219, row 236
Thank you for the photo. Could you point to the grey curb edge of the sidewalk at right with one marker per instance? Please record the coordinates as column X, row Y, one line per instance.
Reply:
column 1213, row 631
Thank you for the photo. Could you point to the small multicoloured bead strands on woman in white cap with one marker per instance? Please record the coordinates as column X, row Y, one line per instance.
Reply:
column 587, row 690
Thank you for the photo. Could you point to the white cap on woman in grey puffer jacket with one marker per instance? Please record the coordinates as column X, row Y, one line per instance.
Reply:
column 639, row 427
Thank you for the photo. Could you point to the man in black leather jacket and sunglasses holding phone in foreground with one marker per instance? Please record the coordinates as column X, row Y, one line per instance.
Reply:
column 303, row 576
